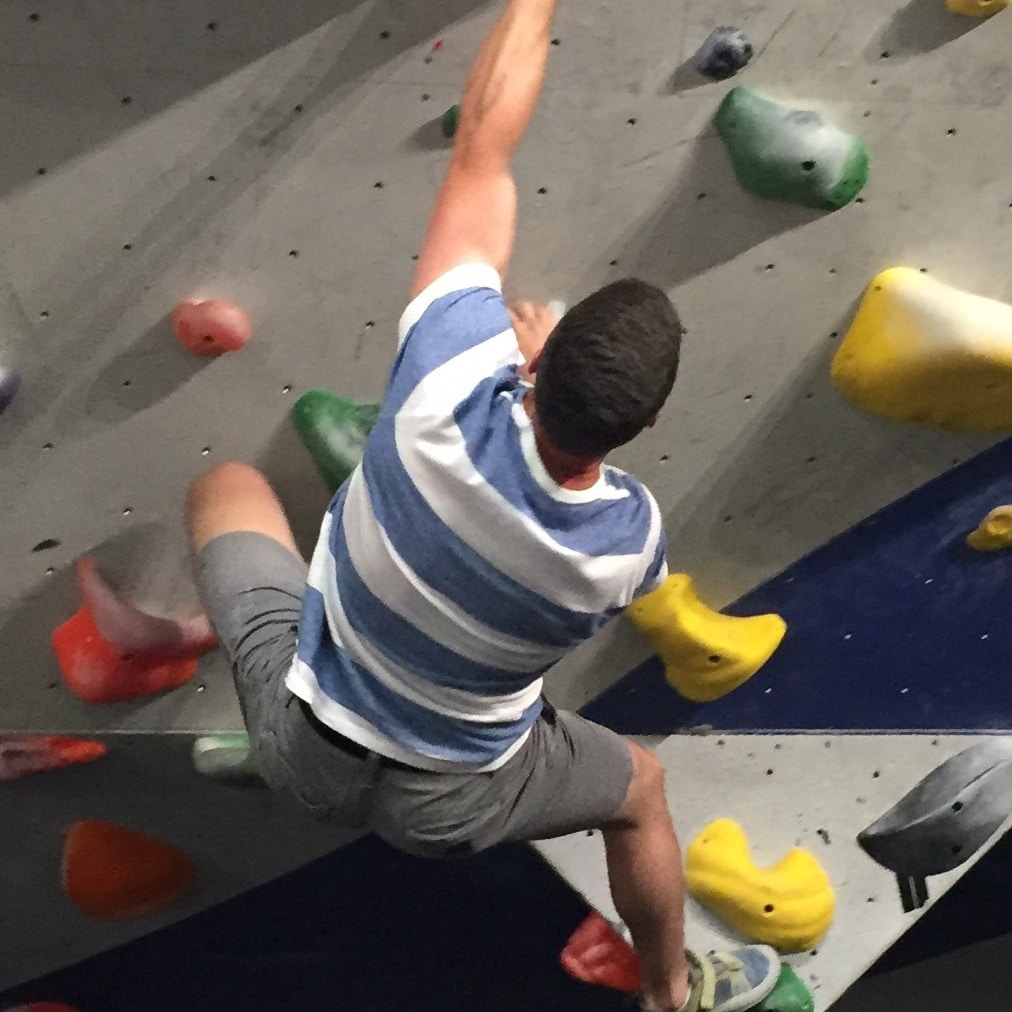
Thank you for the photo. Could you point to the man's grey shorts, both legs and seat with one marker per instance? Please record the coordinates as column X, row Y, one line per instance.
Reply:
column 570, row 775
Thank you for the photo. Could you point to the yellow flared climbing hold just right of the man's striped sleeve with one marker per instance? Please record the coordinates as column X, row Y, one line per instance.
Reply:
column 706, row 655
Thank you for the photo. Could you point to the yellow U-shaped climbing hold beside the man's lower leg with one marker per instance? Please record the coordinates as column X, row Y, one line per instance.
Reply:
column 789, row 906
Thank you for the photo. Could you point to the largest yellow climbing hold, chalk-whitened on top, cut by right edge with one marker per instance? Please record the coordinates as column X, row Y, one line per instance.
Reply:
column 921, row 352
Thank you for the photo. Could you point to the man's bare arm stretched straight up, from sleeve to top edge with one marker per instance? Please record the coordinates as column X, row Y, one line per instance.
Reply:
column 475, row 217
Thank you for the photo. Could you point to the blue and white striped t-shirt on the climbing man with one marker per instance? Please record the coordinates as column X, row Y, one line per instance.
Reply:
column 452, row 571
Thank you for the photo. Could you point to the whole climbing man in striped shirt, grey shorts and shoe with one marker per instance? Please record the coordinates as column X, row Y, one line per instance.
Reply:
column 480, row 540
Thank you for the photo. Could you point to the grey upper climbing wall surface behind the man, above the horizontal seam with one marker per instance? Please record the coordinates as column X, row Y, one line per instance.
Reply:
column 289, row 158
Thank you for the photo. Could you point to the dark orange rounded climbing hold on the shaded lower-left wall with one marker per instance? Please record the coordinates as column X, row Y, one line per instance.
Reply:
column 111, row 871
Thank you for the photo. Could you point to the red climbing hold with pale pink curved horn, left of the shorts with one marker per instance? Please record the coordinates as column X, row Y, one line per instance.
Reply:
column 111, row 652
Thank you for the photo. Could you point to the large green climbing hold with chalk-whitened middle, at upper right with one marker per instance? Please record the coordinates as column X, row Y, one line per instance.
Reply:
column 791, row 154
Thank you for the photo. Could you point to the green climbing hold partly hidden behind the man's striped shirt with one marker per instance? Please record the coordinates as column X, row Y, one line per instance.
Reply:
column 334, row 430
